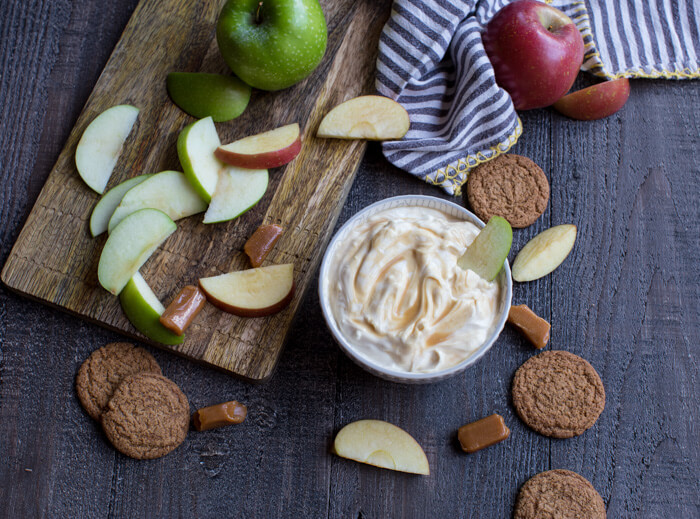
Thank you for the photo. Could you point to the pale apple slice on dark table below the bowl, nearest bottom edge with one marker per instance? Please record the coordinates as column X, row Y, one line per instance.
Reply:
column 381, row 444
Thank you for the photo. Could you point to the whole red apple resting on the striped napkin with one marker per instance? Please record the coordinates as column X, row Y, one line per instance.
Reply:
column 536, row 52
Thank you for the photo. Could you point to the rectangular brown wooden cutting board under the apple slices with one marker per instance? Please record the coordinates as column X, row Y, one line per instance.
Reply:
column 55, row 259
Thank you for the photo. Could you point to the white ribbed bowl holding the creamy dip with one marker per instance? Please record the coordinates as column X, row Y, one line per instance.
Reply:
column 503, row 279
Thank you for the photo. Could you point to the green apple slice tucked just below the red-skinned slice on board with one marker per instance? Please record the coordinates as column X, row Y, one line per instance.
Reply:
column 237, row 191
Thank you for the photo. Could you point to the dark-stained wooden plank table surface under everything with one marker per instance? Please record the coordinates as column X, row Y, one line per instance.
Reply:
column 626, row 300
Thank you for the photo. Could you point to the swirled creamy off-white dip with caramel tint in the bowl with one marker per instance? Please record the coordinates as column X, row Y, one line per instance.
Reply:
column 399, row 297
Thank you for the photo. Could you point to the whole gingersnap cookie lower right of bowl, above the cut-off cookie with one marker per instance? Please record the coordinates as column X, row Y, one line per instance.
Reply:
column 558, row 394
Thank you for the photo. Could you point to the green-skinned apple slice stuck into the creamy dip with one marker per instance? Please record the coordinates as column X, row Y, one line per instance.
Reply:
column 489, row 250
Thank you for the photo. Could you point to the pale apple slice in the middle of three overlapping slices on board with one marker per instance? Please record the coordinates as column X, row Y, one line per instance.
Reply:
column 167, row 191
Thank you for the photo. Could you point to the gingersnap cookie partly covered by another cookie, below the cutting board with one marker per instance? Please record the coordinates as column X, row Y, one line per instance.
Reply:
column 102, row 371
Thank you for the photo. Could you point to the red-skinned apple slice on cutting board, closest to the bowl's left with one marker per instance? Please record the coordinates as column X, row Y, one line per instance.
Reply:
column 251, row 293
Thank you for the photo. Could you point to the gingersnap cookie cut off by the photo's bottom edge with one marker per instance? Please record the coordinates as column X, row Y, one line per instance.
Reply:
column 559, row 494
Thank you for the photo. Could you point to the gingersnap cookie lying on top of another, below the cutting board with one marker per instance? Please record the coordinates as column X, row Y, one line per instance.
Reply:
column 147, row 417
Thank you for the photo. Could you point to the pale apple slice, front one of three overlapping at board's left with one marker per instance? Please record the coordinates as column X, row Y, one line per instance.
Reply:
column 130, row 244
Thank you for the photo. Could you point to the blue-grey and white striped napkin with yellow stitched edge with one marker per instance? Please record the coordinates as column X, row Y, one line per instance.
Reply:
column 432, row 61
